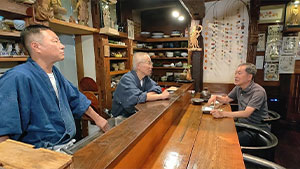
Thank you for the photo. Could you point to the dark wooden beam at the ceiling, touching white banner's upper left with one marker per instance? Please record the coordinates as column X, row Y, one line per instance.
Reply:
column 196, row 8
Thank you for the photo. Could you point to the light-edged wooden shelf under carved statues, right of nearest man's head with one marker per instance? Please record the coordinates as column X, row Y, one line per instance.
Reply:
column 71, row 28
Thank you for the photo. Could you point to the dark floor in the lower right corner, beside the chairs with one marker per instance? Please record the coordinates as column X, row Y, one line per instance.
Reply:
column 287, row 151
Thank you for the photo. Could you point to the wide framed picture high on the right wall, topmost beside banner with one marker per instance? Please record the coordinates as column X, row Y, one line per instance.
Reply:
column 271, row 14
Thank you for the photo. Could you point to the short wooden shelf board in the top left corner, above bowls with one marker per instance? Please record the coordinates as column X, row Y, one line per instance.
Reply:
column 20, row 9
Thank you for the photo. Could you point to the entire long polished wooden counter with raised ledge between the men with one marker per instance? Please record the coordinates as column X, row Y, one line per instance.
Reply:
column 165, row 134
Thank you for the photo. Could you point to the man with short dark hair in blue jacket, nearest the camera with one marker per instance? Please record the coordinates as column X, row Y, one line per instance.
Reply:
column 38, row 104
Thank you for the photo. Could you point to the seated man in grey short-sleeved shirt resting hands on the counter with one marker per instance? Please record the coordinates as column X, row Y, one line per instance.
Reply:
column 252, row 102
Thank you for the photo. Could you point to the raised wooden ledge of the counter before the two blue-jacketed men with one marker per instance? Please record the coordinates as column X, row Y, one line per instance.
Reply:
column 111, row 147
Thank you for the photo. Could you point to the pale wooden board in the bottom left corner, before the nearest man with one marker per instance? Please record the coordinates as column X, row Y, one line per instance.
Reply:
column 14, row 154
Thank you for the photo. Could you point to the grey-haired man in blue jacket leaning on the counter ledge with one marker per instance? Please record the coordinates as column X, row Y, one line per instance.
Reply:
column 136, row 87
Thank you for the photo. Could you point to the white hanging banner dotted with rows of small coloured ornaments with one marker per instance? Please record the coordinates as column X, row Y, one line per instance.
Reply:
column 225, row 37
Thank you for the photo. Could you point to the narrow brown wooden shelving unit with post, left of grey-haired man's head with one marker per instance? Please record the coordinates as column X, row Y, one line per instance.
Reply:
column 104, row 70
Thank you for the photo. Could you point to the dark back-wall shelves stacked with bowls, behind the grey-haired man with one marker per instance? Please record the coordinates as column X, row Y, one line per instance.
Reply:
column 158, row 69
